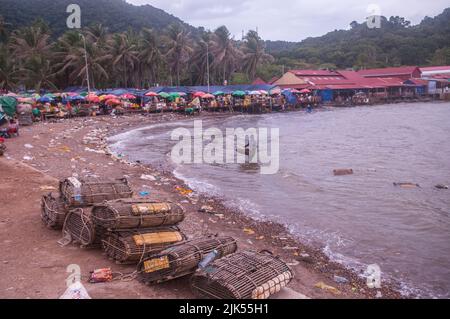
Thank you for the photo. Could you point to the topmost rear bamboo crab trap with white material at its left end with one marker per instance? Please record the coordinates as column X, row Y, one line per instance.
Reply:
column 90, row 192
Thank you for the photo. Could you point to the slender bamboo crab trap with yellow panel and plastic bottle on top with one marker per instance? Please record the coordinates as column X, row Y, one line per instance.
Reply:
column 183, row 259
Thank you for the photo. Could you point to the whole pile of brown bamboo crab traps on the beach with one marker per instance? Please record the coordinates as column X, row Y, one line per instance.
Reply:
column 103, row 214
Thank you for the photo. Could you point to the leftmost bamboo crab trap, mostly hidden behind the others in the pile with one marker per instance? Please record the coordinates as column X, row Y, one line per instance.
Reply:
column 53, row 211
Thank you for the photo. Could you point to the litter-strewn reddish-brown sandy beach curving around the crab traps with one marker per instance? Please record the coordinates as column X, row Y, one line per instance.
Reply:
column 33, row 264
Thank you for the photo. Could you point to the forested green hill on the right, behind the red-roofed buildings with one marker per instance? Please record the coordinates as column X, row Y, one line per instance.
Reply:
column 395, row 43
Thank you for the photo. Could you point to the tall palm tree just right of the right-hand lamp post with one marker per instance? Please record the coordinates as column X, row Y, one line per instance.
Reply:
column 227, row 55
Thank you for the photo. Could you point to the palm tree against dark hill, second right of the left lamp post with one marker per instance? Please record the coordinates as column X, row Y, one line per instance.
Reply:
column 123, row 54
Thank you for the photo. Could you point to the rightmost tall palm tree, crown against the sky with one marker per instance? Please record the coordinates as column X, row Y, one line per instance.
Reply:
column 254, row 54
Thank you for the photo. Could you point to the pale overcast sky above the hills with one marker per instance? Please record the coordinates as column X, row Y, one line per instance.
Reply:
column 291, row 20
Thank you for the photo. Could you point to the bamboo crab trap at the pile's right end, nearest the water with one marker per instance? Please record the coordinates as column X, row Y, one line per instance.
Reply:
column 244, row 275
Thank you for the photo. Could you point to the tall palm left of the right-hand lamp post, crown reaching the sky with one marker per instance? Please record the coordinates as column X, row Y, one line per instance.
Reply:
column 178, row 49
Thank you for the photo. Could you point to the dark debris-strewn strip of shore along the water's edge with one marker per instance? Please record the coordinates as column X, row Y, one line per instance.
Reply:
column 291, row 248
